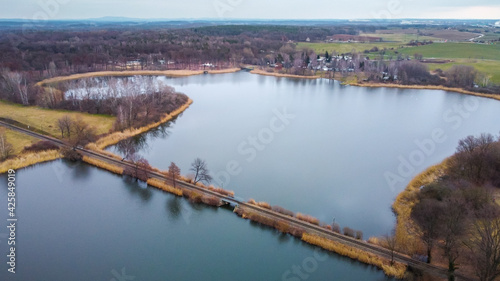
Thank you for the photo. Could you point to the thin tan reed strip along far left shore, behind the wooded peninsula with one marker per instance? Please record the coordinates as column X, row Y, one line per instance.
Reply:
column 118, row 73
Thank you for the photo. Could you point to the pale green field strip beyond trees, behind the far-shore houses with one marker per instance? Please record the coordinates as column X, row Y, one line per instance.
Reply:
column 321, row 48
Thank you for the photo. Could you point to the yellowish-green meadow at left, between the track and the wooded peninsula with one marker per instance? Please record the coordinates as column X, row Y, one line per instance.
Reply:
column 45, row 119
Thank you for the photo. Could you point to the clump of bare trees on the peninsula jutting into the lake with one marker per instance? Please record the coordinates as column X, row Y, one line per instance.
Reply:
column 135, row 101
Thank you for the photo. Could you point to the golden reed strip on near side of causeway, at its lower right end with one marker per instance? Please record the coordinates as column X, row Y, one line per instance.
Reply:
column 396, row 270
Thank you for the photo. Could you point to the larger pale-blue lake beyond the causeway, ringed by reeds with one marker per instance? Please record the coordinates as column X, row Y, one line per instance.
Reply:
column 340, row 152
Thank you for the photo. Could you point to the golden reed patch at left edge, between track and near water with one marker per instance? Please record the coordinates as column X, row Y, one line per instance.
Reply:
column 28, row 159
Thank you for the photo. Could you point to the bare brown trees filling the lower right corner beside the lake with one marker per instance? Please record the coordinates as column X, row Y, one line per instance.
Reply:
column 457, row 216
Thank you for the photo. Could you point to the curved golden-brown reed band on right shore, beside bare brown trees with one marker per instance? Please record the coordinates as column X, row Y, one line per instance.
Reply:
column 402, row 206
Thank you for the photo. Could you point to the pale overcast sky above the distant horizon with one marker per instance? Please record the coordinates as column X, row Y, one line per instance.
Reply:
column 251, row 9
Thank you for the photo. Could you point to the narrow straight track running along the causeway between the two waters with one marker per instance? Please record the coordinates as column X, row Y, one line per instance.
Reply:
column 310, row 228
